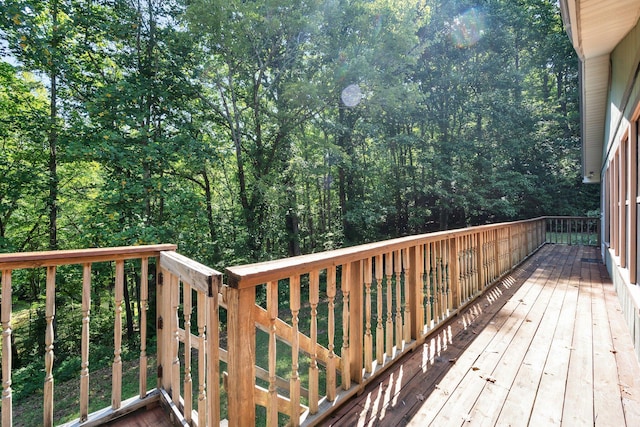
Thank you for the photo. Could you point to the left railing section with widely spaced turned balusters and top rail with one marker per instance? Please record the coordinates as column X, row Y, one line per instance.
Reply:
column 51, row 260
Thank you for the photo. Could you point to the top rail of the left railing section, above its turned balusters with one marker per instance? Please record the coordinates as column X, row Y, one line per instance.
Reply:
column 79, row 256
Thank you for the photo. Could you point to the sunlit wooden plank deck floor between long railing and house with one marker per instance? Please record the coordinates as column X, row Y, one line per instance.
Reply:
column 546, row 346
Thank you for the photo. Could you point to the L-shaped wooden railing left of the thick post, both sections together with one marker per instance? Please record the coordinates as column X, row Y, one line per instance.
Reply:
column 178, row 274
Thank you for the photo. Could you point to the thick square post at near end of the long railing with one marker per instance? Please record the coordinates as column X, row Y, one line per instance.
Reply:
column 241, row 360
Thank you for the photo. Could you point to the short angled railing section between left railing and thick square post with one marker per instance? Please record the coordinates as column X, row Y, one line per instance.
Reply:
column 180, row 279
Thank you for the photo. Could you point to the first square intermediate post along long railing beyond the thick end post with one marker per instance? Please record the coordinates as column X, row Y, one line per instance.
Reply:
column 356, row 337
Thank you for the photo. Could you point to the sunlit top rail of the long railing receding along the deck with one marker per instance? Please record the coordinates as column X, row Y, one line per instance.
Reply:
column 243, row 276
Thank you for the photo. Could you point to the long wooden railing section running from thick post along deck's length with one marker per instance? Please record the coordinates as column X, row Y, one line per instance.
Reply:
column 346, row 315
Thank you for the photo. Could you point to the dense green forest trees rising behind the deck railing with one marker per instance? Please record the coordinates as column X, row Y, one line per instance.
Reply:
column 251, row 130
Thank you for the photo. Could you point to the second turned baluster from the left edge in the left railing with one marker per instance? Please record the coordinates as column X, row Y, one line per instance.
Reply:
column 50, row 313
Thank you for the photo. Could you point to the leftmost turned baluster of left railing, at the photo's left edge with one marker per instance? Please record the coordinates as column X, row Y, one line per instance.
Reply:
column 5, row 319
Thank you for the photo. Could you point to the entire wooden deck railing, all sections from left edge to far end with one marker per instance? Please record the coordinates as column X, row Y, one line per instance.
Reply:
column 283, row 341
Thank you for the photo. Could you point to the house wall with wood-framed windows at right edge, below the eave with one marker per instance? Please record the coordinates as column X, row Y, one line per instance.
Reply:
column 619, row 193
